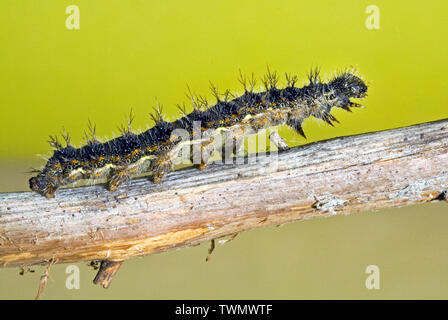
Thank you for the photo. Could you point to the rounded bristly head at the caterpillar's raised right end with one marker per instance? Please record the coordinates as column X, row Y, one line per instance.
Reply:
column 348, row 85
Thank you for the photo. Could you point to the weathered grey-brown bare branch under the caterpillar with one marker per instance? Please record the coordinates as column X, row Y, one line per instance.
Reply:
column 365, row 172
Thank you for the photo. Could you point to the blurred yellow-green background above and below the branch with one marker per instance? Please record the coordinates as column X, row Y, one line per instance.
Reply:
column 128, row 53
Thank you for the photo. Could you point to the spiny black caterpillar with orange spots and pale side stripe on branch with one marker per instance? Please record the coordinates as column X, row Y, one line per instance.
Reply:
column 155, row 151
